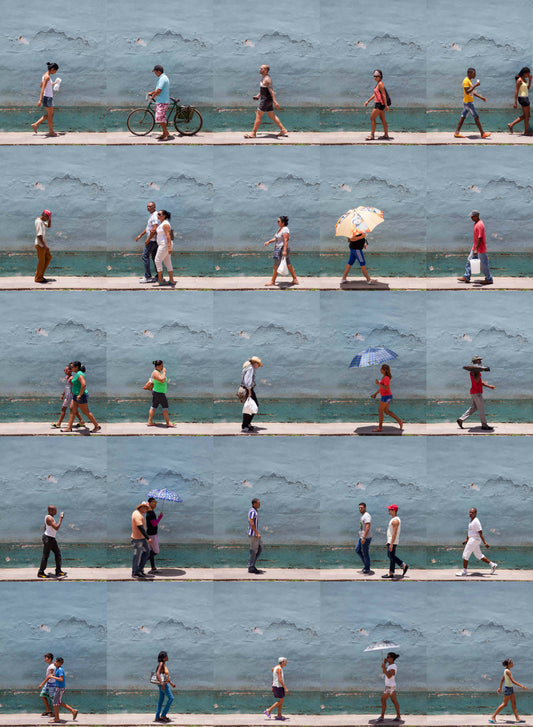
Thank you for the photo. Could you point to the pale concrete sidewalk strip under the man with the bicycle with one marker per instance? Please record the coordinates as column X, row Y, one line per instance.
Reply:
column 236, row 138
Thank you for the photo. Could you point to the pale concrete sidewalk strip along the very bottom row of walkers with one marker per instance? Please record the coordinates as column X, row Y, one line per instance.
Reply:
column 253, row 720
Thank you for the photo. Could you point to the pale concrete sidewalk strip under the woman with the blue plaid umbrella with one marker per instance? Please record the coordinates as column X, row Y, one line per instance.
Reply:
column 279, row 429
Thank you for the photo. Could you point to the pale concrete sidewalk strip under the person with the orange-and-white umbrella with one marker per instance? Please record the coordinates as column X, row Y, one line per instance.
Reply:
column 23, row 282
